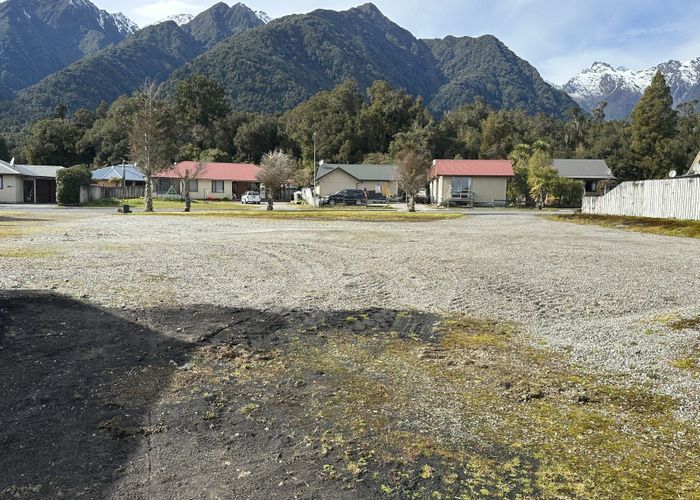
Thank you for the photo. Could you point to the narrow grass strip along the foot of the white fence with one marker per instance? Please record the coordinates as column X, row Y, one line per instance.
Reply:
column 668, row 227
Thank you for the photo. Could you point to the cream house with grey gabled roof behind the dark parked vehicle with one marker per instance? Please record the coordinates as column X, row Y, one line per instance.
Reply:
column 332, row 178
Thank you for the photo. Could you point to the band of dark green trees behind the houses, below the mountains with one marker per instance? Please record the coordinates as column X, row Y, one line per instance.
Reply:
column 197, row 123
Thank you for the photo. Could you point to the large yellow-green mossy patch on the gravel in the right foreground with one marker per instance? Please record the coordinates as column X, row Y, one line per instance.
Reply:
column 492, row 417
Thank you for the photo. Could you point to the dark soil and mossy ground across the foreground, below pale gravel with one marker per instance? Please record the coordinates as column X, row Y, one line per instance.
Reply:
column 238, row 403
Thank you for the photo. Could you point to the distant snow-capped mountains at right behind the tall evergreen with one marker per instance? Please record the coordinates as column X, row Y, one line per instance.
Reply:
column 622, row 88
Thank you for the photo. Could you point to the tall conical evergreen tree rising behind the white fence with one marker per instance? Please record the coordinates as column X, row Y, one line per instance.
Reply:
column 653, row 128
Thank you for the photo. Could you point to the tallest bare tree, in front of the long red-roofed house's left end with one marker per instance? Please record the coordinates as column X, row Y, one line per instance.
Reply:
column 149, row 138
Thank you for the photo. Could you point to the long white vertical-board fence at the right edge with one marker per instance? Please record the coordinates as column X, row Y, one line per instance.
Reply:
column 677, row 198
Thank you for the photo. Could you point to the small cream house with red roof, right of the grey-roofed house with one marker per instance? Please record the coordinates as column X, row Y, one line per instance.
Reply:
column 470, row 182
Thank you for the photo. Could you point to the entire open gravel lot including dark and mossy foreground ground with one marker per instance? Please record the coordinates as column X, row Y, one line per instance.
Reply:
column 501, row 354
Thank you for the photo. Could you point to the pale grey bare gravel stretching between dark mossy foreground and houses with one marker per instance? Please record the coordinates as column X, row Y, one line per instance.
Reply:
column 609, row 301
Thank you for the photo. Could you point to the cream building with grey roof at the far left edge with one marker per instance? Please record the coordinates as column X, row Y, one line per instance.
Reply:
column 27, row 183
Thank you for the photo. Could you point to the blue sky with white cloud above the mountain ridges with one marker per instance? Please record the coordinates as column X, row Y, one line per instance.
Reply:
column 558, row 37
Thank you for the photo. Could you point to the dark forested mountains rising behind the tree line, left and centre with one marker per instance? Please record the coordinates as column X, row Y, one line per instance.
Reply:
column 263, row 66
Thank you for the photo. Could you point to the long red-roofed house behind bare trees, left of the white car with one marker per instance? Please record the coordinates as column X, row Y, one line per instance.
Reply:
column 215, row 181
